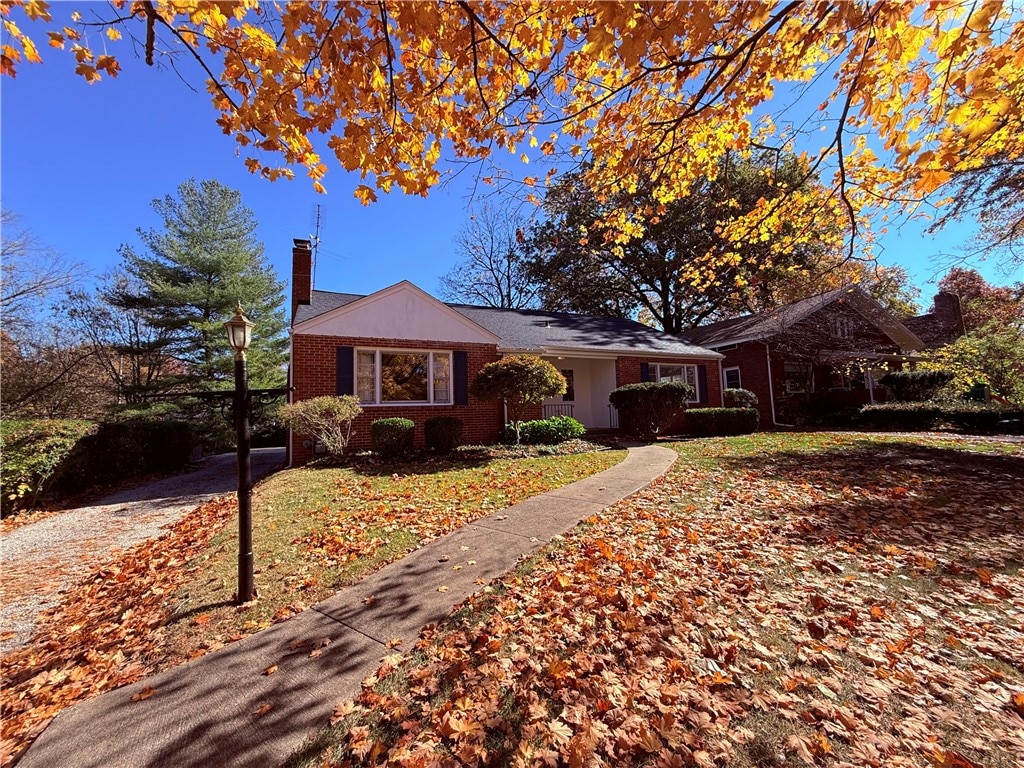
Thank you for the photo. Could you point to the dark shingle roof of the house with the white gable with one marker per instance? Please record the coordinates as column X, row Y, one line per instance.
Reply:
column 538, row 330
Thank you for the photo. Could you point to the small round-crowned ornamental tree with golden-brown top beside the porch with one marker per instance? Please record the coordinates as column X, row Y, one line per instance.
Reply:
column 521, row 381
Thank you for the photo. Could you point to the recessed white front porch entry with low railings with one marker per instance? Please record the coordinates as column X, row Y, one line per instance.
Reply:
column 589, row 382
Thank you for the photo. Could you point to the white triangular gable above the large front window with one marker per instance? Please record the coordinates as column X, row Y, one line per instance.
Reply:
column 402, row 312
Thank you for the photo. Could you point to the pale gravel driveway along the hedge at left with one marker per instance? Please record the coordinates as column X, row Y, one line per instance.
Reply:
column 42, row 560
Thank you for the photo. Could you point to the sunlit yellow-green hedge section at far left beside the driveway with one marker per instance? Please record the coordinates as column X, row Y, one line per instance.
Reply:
column 31, row 453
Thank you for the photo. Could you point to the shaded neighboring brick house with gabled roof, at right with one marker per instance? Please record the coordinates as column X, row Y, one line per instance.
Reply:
column 827, row 349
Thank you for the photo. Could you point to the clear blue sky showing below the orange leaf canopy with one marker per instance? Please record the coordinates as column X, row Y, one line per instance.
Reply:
column 81, row 164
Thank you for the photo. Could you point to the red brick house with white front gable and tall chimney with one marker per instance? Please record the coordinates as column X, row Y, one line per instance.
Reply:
column 405, row 354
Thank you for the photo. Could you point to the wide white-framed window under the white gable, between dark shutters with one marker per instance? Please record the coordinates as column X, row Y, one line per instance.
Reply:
column 397, row 377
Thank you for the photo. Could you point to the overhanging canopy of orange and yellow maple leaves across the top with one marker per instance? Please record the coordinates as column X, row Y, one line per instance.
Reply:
column 889, row 101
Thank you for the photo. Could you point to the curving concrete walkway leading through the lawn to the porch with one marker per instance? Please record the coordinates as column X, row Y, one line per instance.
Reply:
column 223, row 711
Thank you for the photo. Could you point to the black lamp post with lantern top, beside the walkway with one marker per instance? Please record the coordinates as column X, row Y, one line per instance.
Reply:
column 240, row 335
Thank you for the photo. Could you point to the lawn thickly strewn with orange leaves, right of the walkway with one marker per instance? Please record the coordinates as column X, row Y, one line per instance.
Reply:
column 778, row 601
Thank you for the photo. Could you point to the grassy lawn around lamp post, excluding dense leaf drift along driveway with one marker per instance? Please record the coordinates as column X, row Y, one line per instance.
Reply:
column 318, row 530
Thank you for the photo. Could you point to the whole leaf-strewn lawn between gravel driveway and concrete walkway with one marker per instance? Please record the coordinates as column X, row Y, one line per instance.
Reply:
column 170, row 600
